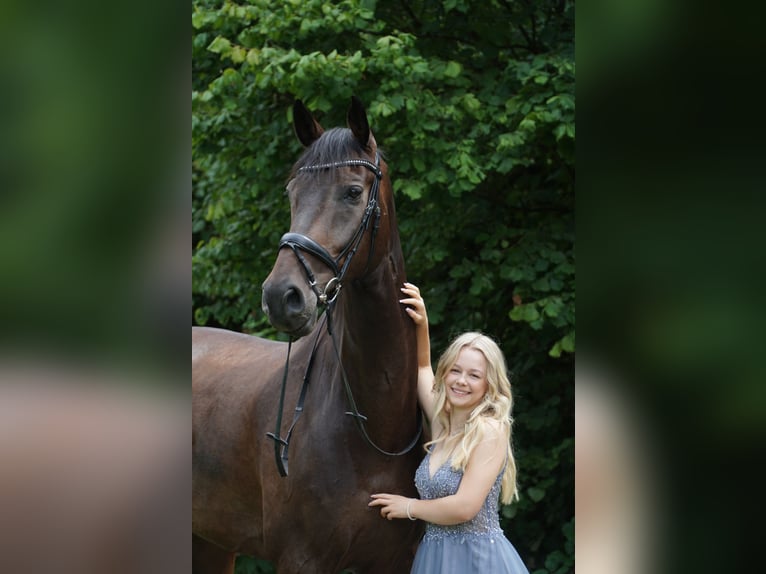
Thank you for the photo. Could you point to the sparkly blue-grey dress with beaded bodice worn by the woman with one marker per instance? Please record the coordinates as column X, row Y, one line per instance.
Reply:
column 478, row 546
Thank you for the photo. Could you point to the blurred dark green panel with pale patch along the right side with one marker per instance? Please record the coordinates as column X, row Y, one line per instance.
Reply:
column 670, row 195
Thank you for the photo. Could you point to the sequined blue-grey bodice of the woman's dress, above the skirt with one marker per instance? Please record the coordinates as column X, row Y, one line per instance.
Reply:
column 445, row 482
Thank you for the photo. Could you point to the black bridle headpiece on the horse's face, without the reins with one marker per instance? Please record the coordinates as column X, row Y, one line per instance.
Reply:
column 298, row 242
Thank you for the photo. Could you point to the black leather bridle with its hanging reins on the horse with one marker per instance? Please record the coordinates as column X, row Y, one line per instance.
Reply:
column 327, row 297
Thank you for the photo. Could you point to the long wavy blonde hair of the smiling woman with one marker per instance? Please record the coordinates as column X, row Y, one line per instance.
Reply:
column 496, row 405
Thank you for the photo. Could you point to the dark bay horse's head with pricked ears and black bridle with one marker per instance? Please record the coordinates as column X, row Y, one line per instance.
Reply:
column 335, row 204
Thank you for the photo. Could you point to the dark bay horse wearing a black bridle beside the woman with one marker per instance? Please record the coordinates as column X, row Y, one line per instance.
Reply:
column 358, row 432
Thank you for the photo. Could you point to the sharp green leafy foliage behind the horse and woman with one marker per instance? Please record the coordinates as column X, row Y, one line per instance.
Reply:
column 473, row 103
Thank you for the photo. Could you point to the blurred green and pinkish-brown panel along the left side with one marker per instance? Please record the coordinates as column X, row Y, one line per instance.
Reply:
column 94, row 287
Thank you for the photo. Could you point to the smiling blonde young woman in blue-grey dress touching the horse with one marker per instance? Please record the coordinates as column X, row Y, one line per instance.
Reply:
column 469, row 465
